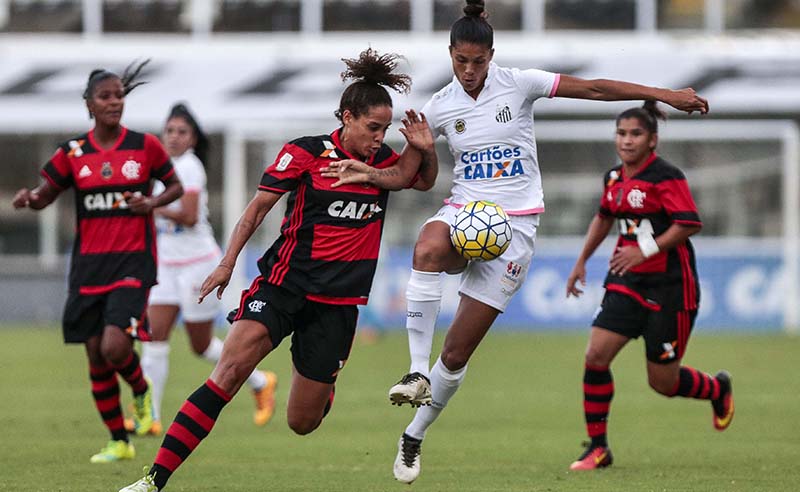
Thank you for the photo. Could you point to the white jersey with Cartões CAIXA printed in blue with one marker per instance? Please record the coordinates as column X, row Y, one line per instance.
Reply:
column 492, row 138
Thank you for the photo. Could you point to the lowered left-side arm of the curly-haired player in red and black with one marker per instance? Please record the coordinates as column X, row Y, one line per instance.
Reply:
column 251, row 218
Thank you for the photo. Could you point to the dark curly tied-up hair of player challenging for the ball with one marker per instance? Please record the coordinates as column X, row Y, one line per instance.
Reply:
column 371, row 72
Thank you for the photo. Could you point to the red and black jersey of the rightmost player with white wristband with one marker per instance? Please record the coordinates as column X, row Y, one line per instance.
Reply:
column 649, row 202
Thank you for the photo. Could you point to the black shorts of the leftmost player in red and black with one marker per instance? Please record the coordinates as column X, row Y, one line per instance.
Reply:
column 85, row 316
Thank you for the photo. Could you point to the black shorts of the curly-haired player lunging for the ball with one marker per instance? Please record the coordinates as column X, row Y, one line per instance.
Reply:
column 322, row 334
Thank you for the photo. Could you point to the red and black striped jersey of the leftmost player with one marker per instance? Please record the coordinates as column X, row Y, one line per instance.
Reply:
column 113, row 247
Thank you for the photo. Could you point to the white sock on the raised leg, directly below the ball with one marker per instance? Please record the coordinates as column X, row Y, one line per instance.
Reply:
column 424, row 296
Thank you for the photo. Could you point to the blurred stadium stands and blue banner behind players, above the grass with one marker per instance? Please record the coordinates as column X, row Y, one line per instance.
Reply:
column 260, row 72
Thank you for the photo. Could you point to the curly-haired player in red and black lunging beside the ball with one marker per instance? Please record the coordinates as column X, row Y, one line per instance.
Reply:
column 317, row 271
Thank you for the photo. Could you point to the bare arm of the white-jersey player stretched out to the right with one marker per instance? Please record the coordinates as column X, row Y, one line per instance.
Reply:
column 615, row 90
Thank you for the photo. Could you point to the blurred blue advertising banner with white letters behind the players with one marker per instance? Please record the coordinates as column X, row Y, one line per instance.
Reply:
column 742, row 289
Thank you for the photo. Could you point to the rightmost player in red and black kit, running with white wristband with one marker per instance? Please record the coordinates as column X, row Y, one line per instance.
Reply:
column 652, row 289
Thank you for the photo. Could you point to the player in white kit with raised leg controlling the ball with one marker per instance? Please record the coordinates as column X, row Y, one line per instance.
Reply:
column 486, row 115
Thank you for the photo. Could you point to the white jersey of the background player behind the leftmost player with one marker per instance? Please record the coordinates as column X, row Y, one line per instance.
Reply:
column 180, row 244
